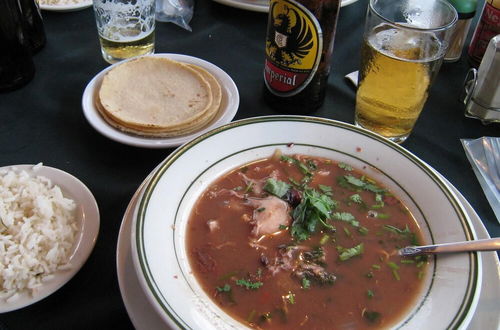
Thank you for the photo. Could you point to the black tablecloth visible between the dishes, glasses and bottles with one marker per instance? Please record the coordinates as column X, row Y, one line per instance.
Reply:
column 43, row 122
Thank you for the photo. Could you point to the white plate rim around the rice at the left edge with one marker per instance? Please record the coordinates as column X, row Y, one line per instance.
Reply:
column 87, row 216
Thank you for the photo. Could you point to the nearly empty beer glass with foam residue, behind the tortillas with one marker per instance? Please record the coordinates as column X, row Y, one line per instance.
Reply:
column 126, row 28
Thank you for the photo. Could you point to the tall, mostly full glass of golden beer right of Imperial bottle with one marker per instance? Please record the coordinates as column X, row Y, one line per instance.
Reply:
column 403, row 47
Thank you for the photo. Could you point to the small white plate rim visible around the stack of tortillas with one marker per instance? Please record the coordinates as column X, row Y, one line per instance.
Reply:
column 229, row 106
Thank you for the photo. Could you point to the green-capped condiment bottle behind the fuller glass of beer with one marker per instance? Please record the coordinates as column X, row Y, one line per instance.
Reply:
column 466, row 10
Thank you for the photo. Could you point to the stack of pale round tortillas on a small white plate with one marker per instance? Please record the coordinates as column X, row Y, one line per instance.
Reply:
column 156, row 96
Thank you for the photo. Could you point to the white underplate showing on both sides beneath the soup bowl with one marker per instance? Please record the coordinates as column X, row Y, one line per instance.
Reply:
column 144, row 317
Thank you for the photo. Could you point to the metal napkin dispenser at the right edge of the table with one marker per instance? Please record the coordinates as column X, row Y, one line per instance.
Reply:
column 482, row 86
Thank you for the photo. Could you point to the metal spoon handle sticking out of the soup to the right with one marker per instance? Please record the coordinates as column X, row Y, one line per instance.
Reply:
column 490, row 244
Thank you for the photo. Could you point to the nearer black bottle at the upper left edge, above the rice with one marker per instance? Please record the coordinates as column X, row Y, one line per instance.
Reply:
column 16, row 64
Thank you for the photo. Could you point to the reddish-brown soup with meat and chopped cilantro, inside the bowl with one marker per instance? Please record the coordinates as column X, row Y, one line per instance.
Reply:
column 296, row 242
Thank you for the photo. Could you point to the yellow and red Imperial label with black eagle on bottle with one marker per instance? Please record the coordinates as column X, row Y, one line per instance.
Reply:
column 293, row 47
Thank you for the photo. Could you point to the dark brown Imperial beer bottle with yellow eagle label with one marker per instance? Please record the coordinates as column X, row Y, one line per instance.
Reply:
column 299, row 46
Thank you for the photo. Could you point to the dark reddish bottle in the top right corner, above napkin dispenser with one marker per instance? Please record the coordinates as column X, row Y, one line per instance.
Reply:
column 487, row 28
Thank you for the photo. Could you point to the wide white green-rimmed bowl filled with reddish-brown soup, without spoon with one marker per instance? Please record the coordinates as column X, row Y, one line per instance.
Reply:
column 288, row 222
